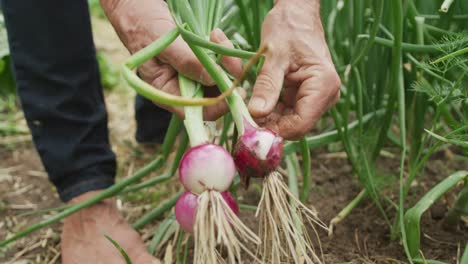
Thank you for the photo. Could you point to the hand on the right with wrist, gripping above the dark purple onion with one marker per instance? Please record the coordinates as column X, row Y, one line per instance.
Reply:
column 299, row 61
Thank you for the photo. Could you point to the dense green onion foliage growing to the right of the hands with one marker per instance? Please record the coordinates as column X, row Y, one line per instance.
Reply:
column 426, row 83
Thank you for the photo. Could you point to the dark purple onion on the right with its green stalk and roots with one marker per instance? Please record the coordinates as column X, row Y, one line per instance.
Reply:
column 257, row 154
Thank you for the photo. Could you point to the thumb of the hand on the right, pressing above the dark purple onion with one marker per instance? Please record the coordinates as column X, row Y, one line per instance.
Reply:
column 267, row 89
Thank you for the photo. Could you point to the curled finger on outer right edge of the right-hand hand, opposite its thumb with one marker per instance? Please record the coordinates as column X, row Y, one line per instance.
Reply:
column 315, row 96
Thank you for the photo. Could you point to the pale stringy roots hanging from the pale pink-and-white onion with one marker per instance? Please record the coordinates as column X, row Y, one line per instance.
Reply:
column 216, row 224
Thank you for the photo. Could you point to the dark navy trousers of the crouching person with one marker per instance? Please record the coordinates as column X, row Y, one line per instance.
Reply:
column 55, row 66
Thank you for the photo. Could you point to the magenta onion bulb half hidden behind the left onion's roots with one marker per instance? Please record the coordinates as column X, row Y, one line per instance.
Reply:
column 186, row 209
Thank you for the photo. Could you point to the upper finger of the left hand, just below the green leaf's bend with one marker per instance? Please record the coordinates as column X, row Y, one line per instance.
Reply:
column 180, row 56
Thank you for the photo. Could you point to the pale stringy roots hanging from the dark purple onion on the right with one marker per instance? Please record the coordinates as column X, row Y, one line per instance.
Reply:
column 283, row 219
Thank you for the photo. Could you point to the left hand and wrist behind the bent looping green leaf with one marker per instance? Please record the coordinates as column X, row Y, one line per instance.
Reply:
column 139, row 23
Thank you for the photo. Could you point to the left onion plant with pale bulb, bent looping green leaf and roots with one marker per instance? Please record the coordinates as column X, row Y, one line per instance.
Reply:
column 206, row 170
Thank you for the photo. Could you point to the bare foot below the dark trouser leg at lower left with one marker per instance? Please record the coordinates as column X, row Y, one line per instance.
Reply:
column 83, row 238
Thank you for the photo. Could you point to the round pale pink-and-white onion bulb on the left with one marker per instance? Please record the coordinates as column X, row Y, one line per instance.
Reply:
column 207, row 167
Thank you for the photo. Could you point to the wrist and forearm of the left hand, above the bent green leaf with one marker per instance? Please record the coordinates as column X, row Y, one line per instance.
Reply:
column 138, row 23
